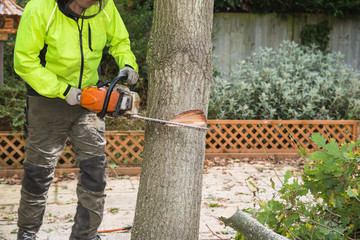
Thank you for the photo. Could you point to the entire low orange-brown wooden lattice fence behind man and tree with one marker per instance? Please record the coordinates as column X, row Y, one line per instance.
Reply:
column 225, row 138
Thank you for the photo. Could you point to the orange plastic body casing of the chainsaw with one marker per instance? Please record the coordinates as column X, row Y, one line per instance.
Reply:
column 93, row 98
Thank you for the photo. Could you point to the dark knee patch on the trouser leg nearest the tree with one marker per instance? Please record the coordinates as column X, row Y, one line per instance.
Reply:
column 93, row 175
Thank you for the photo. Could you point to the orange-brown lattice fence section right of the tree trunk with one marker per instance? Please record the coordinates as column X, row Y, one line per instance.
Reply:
column 268, row 137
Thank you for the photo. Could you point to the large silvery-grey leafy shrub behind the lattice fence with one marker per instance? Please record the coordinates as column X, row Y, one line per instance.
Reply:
column 291, row 82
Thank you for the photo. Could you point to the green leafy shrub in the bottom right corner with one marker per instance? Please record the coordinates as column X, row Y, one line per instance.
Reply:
column 325, row 203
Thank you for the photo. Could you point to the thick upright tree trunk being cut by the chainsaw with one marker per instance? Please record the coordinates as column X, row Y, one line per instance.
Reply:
column 180, row 72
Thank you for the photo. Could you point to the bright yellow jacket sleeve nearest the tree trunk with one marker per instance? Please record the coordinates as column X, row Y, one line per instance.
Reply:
column 118, row 39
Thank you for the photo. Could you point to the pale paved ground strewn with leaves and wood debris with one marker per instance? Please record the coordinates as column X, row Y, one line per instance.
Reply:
column 226, row 187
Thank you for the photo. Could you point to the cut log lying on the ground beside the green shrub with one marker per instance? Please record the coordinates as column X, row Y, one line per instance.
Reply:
column 250, row 228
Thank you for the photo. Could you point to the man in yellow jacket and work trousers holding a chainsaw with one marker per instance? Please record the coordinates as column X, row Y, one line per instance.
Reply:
column 58, row 50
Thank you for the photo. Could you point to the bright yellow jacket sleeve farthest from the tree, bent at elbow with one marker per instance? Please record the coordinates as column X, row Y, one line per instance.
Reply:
column 29, row 42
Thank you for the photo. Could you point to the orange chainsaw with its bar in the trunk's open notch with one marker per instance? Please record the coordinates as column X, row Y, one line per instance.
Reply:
column 118, row 100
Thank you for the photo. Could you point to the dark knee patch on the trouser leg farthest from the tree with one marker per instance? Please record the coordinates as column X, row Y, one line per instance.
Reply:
column 37, row 179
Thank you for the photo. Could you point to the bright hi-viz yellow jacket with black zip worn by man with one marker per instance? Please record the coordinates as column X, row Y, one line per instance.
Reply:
column 54, row 51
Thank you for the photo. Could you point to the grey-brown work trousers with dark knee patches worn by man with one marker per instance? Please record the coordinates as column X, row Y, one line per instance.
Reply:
column 49, row 123
